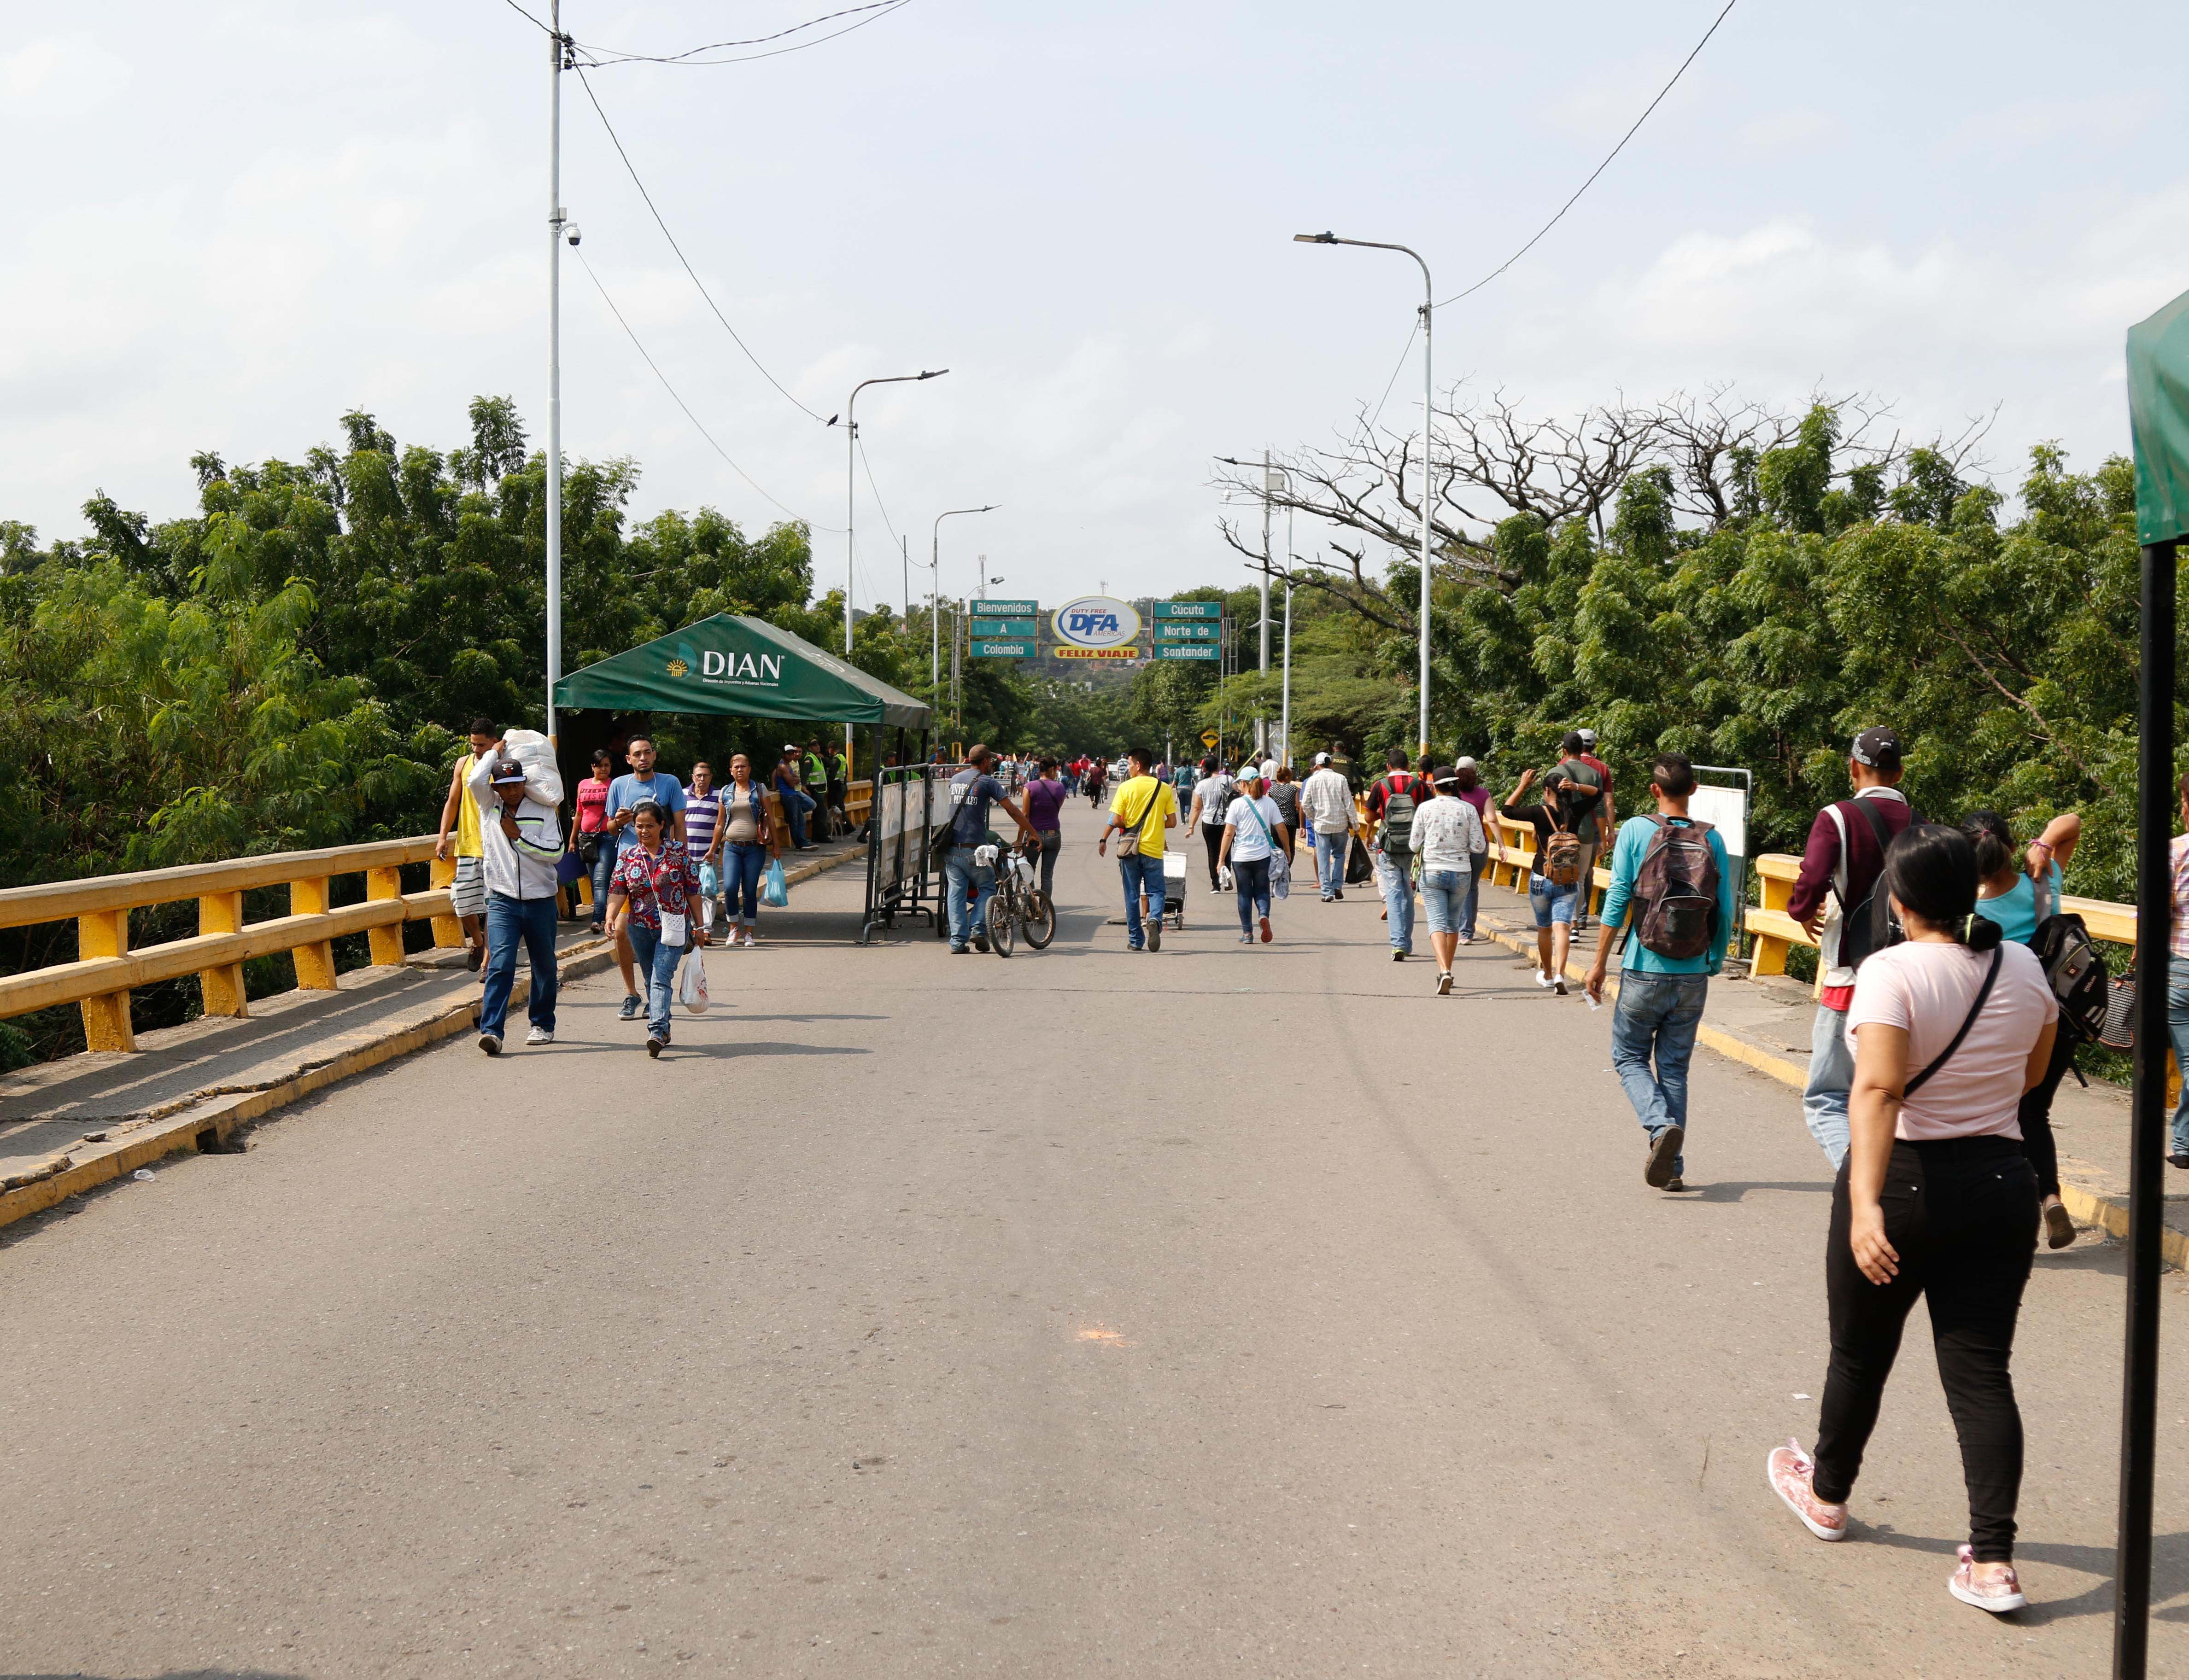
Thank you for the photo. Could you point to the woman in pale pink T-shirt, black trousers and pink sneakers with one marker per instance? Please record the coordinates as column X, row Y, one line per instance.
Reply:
column 1934, row 1200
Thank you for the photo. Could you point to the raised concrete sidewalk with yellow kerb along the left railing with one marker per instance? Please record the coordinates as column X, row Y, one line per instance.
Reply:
column 84, row 1121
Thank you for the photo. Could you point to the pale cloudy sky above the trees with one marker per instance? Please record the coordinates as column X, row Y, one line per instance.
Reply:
column 235, row 222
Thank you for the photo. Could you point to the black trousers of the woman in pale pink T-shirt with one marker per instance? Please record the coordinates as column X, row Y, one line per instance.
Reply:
column 1962, row 1213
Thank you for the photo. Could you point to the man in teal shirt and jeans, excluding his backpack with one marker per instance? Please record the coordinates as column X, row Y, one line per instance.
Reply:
column 1660, row 996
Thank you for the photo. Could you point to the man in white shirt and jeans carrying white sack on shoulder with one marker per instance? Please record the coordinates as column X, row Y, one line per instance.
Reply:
column 522, row 841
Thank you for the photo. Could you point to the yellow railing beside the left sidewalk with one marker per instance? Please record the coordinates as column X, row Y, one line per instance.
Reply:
column 108, row 970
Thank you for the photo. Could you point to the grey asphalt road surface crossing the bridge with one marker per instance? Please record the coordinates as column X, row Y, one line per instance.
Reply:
column 1223, row 1311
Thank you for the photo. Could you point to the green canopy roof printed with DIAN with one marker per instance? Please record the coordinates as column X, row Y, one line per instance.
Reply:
column 745, row 668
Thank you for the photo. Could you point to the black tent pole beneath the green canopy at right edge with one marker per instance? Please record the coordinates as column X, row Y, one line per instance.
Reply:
column 2146, row 1136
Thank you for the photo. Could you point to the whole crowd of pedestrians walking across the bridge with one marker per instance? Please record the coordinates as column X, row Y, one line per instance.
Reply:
column 1954, row 983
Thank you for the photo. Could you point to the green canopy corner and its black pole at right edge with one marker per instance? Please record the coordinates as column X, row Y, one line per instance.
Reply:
column 2159, row 423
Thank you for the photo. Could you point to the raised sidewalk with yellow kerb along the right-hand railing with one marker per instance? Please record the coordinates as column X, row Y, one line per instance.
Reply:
column 1765, row 1025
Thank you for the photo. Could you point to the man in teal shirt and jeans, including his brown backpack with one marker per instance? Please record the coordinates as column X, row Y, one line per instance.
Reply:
column 1673, row 907
